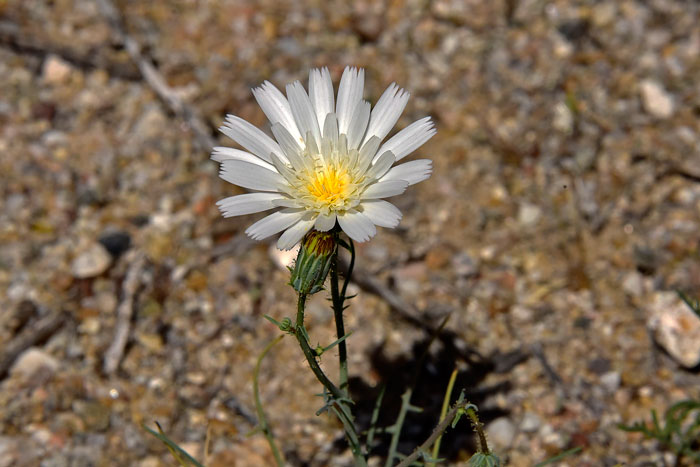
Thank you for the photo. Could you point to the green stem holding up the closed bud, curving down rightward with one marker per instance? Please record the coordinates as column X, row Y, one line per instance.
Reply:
column 340, row 406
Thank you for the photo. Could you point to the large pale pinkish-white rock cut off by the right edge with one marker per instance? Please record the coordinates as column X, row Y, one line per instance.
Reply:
column 676, row 328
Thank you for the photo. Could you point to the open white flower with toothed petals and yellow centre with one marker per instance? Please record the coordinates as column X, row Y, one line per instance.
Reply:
column 328, row 162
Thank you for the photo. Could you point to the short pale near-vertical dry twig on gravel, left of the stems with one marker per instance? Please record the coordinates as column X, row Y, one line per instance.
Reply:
column 114, row 354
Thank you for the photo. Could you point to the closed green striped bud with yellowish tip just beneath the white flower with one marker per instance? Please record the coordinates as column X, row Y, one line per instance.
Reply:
column 313, row 262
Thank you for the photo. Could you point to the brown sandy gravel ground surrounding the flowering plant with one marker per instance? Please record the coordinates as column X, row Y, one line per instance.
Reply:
column 563, row 211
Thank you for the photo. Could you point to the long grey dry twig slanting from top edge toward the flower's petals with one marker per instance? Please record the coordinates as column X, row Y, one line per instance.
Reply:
column 155, row 80
